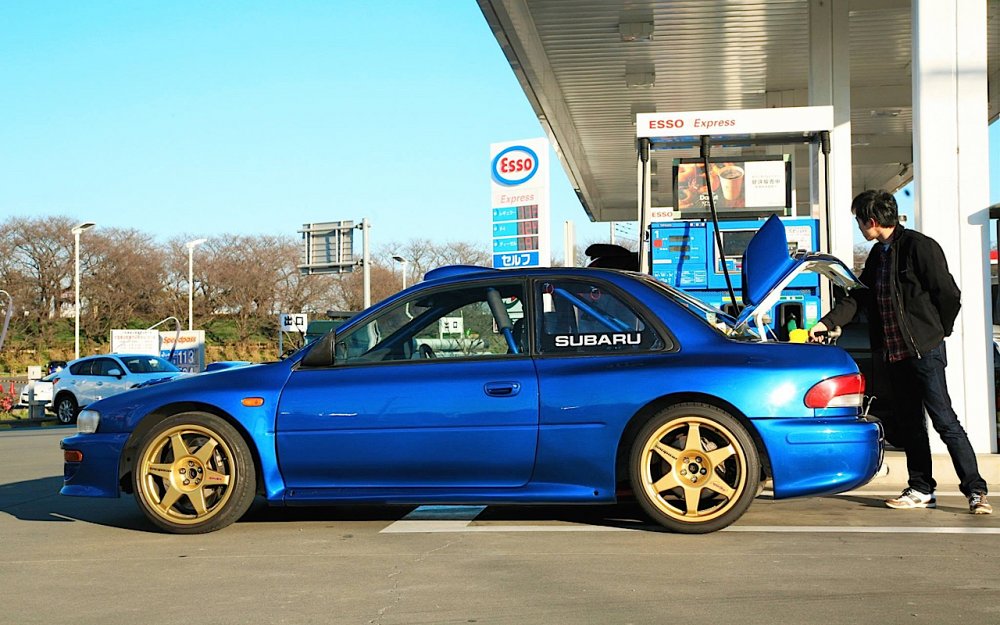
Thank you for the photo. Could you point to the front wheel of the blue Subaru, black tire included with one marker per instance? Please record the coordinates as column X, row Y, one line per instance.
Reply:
column 193, row 474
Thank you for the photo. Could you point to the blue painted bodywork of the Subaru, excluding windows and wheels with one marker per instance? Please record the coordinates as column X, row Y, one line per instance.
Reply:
column 584, row 404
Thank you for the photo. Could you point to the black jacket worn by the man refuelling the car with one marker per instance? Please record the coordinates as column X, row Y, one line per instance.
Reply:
column 924, row 294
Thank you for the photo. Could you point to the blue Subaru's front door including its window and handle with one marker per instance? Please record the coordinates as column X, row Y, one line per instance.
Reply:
column 431, row 392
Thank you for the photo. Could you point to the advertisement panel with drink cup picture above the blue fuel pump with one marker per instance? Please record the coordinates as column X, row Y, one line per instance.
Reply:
column 744, row 186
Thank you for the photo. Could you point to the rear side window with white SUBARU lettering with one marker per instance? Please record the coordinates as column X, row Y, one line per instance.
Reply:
column 582, row 317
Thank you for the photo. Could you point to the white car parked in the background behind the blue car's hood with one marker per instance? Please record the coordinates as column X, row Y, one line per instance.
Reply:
column 89, row 379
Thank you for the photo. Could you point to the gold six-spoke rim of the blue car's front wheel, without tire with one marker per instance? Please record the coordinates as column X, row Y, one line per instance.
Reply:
column 186, row 474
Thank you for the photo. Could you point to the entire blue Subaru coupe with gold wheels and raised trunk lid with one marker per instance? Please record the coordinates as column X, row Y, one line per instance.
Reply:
column 563, row 385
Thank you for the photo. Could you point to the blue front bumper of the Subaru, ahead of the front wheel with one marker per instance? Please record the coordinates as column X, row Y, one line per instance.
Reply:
column 97, row 474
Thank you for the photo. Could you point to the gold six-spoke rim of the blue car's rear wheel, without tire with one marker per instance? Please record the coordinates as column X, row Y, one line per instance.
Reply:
column 693, row 469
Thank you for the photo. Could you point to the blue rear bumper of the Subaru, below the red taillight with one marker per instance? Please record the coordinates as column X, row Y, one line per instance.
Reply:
column 821, row 456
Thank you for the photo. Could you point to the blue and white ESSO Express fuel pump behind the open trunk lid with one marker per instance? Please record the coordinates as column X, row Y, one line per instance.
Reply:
column 721, row 199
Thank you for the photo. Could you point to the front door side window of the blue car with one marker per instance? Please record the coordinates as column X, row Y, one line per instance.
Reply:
column 463, row 322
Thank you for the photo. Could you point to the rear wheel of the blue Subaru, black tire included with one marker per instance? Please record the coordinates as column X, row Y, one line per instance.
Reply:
column 694, row 468
